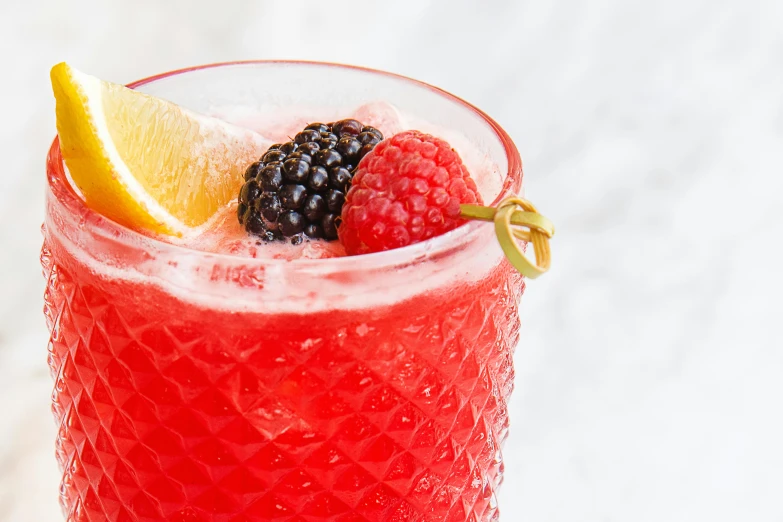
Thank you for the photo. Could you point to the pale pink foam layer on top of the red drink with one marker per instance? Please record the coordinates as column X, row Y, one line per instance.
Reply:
column 221, row 266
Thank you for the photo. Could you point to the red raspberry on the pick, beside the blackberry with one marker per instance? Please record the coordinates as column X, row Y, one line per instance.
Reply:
column 408, row 189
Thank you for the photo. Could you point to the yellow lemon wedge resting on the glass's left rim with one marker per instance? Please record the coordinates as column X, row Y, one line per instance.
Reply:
column 145, row 162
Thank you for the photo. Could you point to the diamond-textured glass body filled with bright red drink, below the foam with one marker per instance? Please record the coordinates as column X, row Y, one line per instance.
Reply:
column 171, row 412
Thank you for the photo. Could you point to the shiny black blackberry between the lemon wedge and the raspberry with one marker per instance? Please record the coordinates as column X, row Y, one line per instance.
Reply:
column 298, row 188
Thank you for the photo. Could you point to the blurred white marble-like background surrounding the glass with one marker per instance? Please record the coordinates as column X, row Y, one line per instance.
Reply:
column 650, row 376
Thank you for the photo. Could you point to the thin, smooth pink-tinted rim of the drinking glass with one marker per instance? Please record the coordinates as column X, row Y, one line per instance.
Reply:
column 434, row 247
